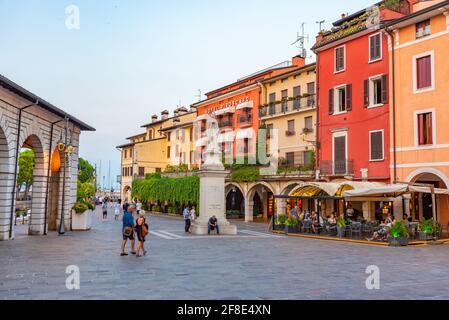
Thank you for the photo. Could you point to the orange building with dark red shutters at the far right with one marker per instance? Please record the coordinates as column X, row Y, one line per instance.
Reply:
column 420, row 150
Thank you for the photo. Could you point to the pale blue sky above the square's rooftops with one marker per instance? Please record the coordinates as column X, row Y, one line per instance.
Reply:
column 130, row 59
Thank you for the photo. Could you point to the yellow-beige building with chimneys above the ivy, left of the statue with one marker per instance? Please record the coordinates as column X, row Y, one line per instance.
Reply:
column 156, row 148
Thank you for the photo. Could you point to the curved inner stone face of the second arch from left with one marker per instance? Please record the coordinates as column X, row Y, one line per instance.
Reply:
column 39, row 191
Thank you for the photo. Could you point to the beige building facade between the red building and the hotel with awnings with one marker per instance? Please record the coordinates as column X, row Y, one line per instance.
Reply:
column 289, row 106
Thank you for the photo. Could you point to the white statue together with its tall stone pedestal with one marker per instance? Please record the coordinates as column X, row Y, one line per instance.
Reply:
column 212, row 189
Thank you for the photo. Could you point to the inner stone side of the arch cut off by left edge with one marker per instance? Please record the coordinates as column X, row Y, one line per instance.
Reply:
column 6, row 180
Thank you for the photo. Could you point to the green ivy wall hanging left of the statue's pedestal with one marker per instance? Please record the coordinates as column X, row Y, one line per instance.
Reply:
column 173, row 190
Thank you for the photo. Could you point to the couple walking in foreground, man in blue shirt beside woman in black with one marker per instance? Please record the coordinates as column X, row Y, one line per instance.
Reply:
column 130, row 229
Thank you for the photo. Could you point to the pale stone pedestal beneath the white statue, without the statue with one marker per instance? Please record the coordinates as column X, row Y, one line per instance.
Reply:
column 213, row 203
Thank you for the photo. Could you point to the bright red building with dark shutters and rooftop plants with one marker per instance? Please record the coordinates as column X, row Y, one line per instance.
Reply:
column 353, row 104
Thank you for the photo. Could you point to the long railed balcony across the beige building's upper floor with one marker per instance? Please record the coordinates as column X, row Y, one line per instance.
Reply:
column 288, row 106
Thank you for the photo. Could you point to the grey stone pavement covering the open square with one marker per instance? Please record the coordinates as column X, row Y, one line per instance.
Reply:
column 252, row 265
